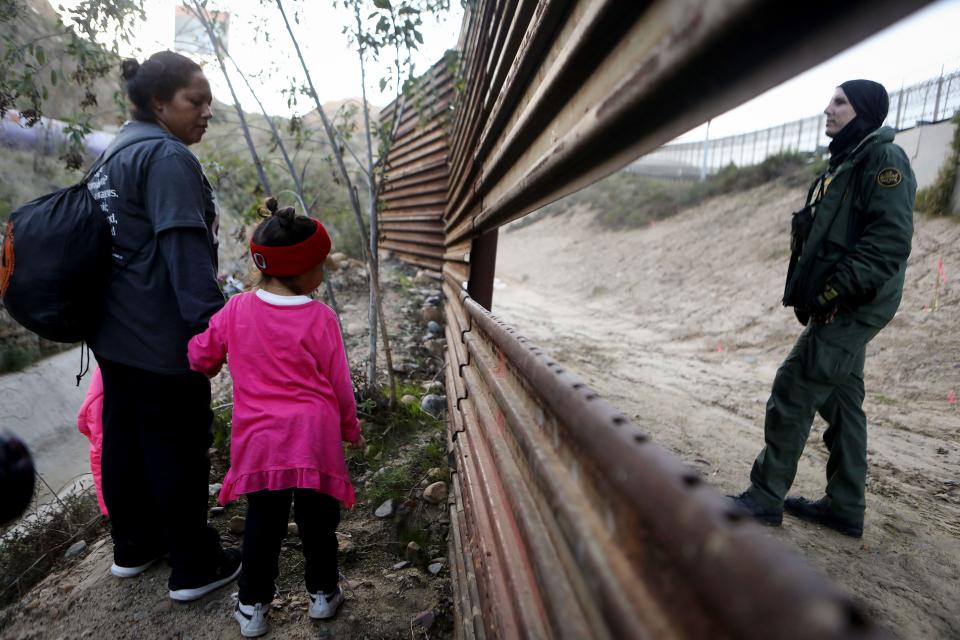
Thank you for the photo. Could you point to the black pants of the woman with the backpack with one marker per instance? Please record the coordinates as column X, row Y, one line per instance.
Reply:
column 156, row 432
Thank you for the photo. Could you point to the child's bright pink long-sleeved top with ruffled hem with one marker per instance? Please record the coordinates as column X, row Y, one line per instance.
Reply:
column 293, row 399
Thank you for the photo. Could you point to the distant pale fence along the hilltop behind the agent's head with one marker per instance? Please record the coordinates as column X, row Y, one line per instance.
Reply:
column 929, row 101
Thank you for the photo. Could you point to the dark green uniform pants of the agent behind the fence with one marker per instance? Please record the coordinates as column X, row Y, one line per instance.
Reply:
column 823, row 373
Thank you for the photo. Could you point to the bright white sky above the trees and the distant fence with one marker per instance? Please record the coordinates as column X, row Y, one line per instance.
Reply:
column 910, row 51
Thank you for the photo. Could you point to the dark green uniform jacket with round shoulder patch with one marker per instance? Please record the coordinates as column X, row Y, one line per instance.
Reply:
column 861, row 233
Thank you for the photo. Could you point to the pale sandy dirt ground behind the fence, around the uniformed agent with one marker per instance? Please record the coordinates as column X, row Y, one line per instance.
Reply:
column 679, row 324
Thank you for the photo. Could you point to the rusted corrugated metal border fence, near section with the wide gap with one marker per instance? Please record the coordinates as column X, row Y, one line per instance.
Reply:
column 565, row 520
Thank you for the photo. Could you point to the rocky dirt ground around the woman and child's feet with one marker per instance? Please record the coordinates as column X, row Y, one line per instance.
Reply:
column 384, row 599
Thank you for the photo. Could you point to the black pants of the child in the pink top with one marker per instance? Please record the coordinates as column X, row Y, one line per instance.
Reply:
column 317, row 516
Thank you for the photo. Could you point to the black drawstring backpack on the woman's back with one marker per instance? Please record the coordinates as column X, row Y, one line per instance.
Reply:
column 56, row 260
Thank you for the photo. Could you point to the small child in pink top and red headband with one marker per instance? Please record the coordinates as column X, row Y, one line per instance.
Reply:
column 293, row 404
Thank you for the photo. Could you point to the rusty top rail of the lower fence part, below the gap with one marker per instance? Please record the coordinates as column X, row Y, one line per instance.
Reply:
column 697, row 528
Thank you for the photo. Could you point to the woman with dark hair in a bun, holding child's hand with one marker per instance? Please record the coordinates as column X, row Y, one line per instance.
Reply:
column 163, row 289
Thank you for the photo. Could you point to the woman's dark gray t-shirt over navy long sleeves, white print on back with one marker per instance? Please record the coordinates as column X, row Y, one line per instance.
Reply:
column 163, row 218
